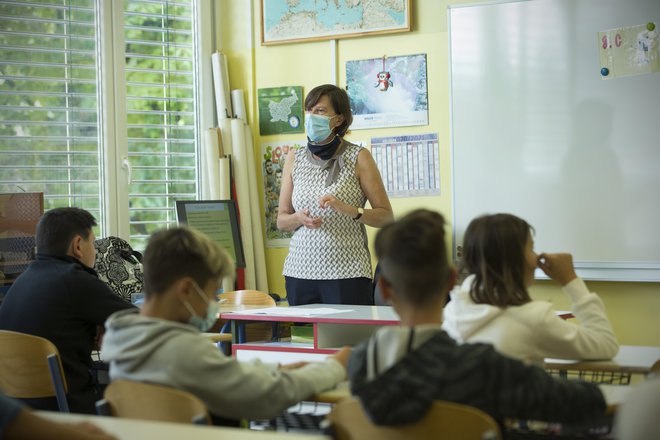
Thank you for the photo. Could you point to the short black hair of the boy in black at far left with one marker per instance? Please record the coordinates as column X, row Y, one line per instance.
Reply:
column 58, row 226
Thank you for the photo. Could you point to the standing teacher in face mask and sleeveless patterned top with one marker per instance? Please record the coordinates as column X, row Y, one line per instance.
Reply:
column 324, row 190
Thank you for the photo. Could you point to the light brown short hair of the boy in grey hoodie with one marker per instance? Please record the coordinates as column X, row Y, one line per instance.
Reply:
column 172, row 254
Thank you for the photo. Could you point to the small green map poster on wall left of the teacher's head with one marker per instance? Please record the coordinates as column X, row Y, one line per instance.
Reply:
column 280, row 110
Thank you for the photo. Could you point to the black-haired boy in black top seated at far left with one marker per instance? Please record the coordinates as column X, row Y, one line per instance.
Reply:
column 60, row 298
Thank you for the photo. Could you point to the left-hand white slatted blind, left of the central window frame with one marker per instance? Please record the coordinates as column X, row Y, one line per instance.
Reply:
column 49, row 123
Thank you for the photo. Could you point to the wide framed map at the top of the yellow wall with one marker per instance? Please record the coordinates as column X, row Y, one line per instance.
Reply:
column 285, row 21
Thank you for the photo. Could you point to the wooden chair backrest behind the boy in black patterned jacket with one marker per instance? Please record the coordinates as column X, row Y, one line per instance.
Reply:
column 445, row 420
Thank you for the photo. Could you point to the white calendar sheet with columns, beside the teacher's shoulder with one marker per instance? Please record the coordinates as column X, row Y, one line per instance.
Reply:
column 409, row 165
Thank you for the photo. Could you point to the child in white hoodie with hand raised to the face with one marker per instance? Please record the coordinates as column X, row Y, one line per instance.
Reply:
column 493, row 304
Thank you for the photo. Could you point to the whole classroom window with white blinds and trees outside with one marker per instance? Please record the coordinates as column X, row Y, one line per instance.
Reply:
column 109, row 124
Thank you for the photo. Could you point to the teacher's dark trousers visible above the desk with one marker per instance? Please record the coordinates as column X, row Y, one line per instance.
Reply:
column 344, row 291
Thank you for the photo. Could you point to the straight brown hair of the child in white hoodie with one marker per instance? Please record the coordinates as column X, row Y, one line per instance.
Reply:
column 494, row 251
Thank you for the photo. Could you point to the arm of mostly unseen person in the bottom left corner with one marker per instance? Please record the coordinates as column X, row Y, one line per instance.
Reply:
column 19, row 423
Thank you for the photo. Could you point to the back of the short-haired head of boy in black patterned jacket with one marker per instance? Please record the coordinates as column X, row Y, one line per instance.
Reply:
column 412, row 256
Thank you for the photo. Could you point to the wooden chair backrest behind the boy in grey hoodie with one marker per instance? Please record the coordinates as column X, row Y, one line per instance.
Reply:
column 145, row 401
